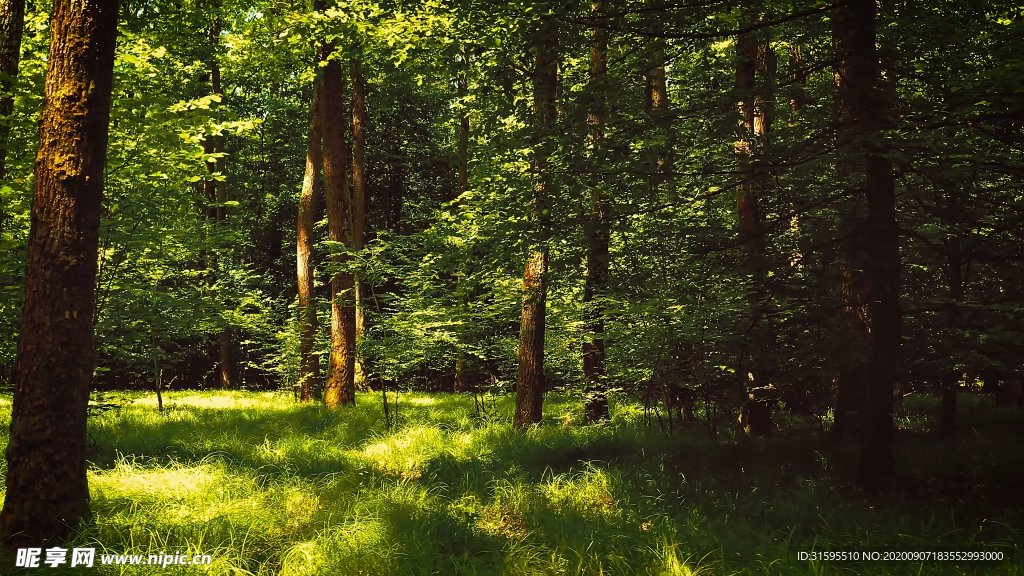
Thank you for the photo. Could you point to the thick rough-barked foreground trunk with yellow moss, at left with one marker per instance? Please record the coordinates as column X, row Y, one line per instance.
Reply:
column 48, row 490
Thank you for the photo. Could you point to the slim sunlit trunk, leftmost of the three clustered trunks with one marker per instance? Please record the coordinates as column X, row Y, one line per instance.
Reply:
column 310, row 379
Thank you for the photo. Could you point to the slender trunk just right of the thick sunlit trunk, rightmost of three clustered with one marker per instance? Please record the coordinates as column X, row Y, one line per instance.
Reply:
column 359, row 204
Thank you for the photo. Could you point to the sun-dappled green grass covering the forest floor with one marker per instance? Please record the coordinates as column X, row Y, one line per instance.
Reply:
column 270, row 486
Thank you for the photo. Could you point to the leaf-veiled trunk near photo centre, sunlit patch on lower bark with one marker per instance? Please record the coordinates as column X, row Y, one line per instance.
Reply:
column 531, row 384
